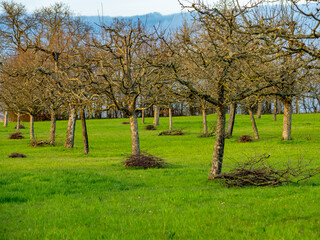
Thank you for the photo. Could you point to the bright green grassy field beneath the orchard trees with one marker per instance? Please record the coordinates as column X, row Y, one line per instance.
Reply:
column 58, row 193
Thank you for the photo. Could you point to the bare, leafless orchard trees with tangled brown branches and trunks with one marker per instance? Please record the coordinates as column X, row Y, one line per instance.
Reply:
column 228, row 54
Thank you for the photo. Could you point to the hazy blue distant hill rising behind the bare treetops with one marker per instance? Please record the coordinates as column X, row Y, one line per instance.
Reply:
column 172, row 21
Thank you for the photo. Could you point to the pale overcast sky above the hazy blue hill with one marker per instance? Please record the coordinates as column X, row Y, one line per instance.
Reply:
column 110, row 7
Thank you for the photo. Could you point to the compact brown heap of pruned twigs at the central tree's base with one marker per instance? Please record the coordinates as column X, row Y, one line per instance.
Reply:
column 144, row 160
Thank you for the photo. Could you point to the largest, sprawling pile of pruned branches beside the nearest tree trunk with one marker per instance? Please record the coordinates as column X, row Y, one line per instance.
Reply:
column 257, row 172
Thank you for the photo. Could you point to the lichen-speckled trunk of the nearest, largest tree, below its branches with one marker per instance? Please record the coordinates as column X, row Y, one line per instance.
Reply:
column 218, row 150
